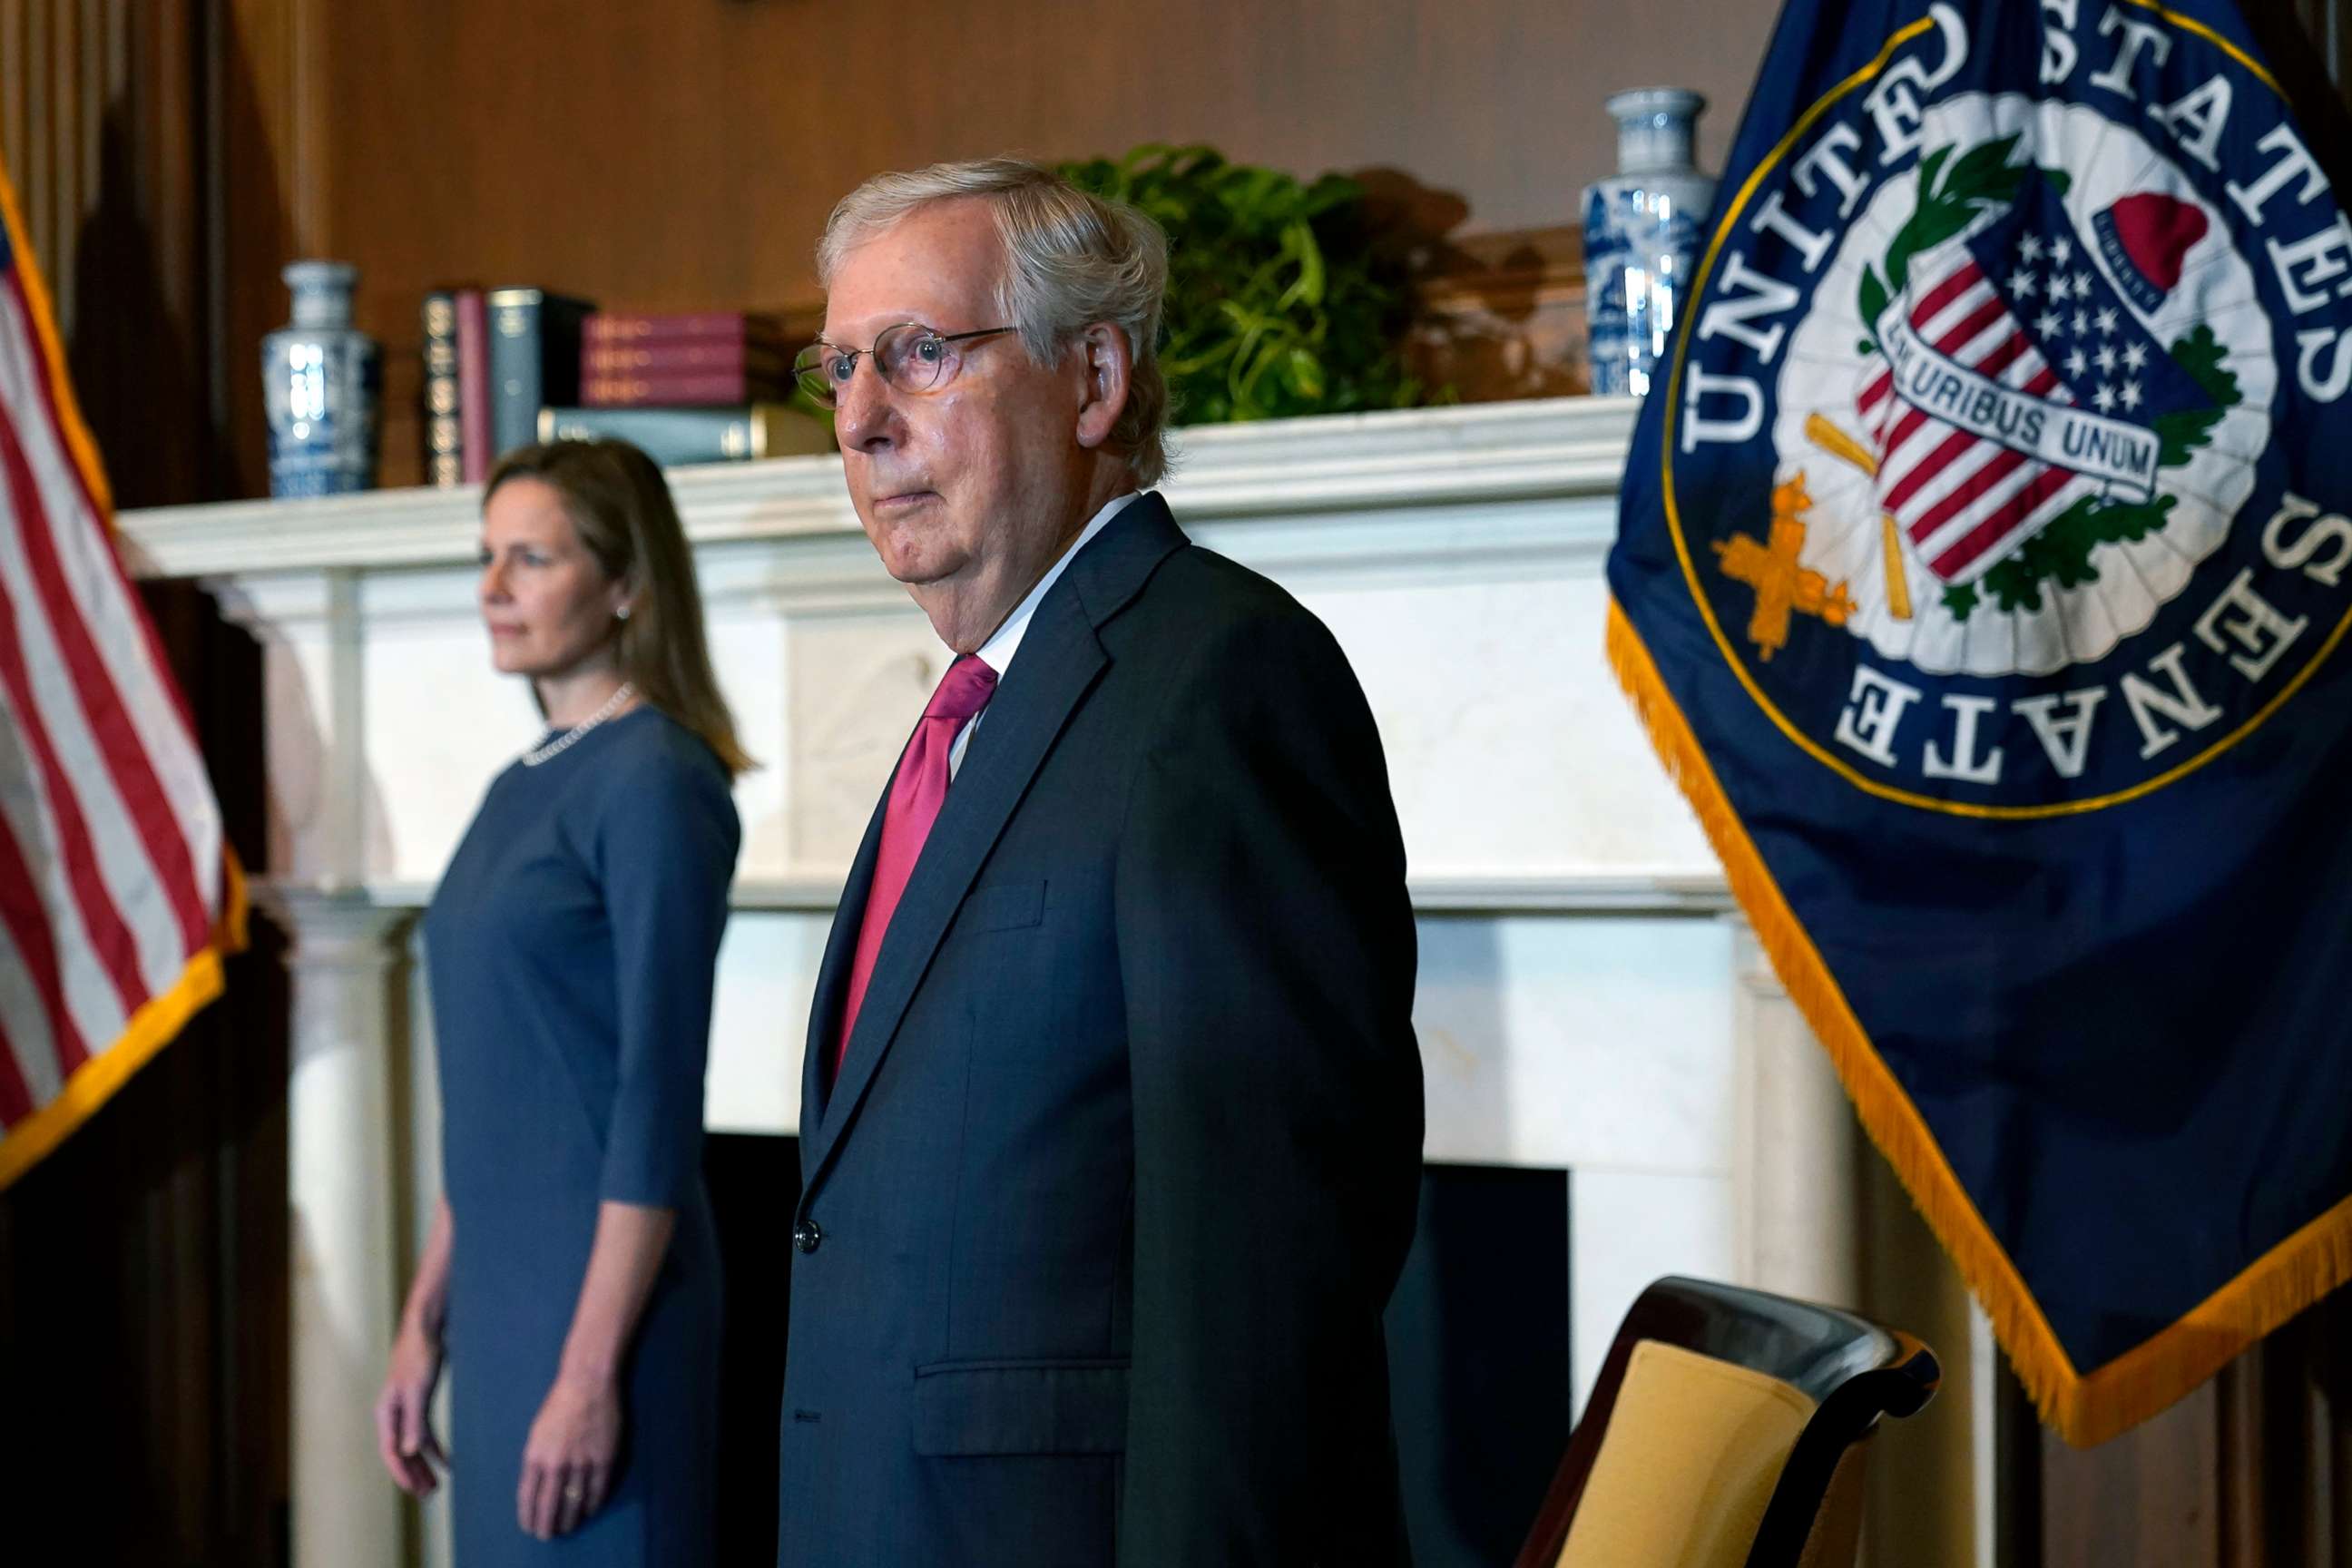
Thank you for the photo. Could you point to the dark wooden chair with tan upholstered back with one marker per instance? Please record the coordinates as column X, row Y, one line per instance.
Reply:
column 1728, row 1430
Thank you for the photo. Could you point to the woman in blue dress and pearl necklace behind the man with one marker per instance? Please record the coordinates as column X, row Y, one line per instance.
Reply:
column 570, row 1275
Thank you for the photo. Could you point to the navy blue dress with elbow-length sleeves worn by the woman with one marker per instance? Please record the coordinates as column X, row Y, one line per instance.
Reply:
column 573, row 949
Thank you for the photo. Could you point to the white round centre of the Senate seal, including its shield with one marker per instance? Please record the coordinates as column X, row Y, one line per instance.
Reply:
column 2026, row 389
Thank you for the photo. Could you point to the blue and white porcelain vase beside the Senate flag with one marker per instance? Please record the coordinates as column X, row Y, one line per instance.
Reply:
column 1643, row 236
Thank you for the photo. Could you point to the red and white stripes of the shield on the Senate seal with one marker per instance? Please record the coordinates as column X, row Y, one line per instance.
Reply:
column 1960, row 500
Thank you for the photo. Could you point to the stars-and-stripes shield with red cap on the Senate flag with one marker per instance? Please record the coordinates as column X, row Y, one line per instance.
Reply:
column 2022, row 304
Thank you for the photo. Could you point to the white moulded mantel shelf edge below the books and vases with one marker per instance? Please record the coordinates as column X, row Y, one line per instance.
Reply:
column 1558, row 448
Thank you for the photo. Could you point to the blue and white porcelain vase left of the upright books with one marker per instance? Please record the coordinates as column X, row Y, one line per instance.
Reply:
column 321, row 384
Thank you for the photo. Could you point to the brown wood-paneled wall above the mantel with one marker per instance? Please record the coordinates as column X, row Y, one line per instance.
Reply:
column 686, row 152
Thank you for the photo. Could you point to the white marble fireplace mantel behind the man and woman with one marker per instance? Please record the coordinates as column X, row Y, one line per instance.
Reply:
column 1586, row 996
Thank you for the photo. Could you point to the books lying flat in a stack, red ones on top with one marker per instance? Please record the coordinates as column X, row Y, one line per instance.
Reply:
column 690, row 389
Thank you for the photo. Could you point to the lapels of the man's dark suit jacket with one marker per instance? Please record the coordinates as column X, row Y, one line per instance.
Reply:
column 1057, row 666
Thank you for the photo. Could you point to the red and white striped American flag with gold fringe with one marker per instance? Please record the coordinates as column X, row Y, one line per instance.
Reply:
column 116, row 890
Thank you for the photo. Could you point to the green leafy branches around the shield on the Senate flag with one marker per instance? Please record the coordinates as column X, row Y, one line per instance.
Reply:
column 1953, row 194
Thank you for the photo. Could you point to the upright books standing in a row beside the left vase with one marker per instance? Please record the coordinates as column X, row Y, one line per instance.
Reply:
column 495, row 359
